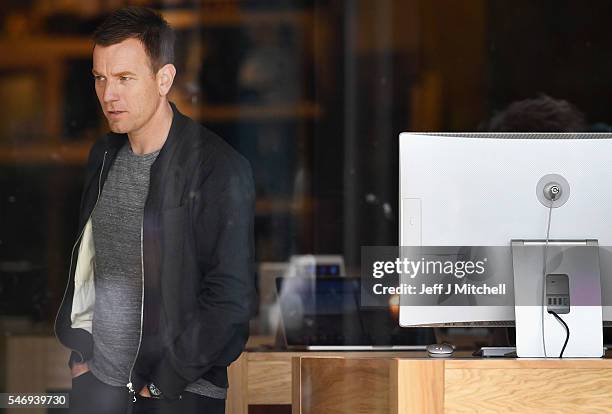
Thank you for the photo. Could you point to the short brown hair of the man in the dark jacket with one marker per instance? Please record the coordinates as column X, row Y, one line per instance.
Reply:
column 143, row 24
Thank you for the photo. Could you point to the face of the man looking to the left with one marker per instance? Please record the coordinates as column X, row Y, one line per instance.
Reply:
column 126, row 86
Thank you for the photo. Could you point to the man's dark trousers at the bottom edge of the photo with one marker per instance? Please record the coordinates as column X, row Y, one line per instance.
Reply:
column 92, row 396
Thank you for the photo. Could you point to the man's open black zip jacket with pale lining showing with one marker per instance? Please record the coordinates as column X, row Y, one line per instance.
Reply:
column 197, row 260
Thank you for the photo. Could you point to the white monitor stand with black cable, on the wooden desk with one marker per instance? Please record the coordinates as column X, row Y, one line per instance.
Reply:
column 571, row 284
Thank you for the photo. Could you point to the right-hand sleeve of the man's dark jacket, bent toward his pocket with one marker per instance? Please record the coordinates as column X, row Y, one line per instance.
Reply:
column 224, row 241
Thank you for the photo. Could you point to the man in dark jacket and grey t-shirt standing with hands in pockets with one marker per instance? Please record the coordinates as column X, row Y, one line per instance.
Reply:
column 160, row 287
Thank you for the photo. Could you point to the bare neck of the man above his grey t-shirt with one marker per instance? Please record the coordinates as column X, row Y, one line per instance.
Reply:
column 152, row 136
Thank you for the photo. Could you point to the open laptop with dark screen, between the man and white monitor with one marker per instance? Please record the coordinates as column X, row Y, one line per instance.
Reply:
column 323, row 314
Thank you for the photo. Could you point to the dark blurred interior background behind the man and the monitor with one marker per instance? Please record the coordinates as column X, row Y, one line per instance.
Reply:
column 313, row 92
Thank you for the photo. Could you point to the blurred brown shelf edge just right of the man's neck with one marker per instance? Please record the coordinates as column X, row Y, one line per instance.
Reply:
column 226, row 113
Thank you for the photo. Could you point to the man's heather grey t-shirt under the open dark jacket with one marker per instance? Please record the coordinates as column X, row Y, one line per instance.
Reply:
column 117, row 224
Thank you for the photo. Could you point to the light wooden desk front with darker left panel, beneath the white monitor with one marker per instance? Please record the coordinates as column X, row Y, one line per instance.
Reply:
column 429, row 386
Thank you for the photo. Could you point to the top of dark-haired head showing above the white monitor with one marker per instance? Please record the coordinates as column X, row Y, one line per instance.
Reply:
column 542, row 114
